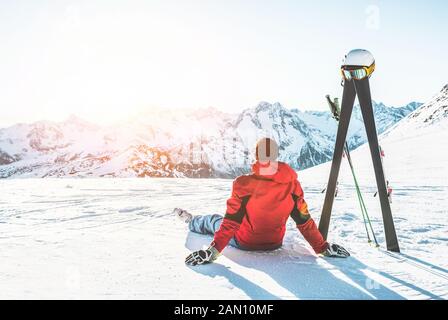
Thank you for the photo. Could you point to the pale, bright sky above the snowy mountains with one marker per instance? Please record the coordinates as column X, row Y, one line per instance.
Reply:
column 105, row 60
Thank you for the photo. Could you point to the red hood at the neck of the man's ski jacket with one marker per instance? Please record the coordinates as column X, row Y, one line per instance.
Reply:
column 277, row 171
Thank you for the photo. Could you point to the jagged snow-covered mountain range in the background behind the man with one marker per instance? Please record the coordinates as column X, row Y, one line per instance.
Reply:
column 176, row 143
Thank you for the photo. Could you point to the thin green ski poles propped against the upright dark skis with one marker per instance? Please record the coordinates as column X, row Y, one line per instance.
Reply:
column 336, row 112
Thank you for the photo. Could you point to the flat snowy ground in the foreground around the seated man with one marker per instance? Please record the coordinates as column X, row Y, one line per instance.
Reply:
column 117, row 238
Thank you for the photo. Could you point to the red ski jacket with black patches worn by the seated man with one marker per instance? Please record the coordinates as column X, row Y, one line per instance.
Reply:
column 259, row 207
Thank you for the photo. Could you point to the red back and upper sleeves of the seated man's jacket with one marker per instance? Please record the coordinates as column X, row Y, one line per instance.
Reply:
column 271, row 199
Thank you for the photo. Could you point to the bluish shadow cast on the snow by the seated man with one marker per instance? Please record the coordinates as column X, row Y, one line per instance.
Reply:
column 296, row 271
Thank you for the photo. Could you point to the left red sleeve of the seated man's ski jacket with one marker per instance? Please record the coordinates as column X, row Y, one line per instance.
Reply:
column 236, row 210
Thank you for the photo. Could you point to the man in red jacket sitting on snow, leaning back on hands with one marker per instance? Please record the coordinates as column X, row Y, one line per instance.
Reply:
column 258, row 210
